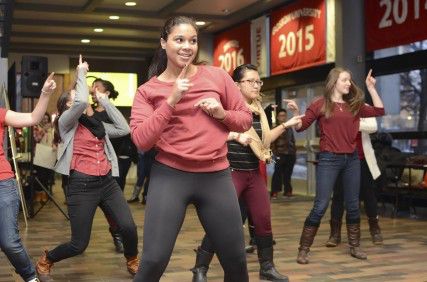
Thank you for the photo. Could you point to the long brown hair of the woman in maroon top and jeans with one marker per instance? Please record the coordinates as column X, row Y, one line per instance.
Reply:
column 354, row 99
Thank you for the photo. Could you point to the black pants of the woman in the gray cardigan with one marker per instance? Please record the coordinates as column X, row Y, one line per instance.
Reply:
column 85, row 193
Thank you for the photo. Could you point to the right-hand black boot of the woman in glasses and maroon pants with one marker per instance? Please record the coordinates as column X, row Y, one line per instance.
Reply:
column 267, row 270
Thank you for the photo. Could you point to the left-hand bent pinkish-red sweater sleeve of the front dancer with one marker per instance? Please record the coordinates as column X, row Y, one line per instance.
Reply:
column 147, row 123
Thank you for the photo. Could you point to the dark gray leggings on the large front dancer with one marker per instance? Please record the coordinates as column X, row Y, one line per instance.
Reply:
column 214, row 197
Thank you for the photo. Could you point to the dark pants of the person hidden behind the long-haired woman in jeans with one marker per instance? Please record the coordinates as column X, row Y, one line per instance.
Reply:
column 367, row 194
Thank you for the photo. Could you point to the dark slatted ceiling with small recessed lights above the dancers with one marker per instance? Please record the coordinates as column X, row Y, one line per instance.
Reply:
column 58, row 26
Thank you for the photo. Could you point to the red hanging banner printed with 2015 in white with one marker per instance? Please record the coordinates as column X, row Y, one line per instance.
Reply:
column 298, row 36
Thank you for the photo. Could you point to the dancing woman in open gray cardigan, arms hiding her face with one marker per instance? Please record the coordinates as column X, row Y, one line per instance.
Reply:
column 85, row 154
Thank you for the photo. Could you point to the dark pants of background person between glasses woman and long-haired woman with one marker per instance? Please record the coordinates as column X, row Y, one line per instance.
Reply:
column 282, row 173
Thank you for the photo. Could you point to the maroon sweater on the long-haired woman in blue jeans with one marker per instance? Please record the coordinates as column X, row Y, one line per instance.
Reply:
column 337, row 133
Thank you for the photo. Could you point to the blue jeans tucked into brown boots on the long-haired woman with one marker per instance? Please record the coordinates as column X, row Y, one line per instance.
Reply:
column 329, row 167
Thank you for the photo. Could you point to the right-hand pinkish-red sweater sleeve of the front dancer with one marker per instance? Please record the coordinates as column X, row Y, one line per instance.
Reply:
column 238, row 117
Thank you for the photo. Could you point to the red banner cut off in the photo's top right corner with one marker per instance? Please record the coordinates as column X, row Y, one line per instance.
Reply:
column 391, row 23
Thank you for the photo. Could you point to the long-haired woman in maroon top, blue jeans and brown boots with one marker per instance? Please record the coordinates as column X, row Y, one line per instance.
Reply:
column 338, row 114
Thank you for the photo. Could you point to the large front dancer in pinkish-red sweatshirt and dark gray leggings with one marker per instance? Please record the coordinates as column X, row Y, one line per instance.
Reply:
column 186, row 111
